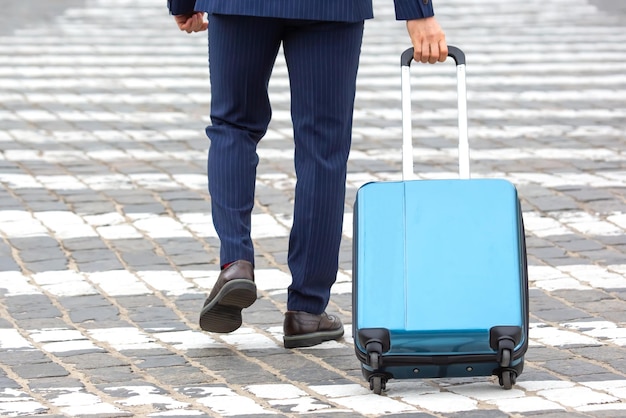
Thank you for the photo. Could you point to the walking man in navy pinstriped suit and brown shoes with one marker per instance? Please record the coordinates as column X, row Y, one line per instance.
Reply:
column 321, row 41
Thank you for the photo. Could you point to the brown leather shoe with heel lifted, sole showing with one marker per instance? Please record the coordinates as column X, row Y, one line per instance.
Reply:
column 233, row 291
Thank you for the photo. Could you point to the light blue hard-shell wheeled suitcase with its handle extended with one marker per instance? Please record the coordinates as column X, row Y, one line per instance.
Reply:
column 440, row 282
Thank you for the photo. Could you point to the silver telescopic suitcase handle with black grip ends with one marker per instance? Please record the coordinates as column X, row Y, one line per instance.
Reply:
column 407, row 139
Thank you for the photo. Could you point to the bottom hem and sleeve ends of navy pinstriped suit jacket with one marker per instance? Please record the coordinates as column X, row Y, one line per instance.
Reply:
column 333, row 10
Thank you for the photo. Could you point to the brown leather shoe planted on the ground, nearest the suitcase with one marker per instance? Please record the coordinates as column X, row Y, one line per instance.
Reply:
column 303, row 329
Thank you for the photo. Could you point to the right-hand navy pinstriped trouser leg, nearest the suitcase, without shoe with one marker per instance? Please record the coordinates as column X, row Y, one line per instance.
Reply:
column 322, row 60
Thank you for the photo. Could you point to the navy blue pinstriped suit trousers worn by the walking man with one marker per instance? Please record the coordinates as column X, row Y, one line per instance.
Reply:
column 322, row 60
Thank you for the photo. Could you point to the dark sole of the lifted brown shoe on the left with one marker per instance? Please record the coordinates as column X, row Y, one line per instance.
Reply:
column 223, row 313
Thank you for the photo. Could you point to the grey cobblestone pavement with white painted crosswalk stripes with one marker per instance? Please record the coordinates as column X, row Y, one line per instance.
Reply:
column 107, row 249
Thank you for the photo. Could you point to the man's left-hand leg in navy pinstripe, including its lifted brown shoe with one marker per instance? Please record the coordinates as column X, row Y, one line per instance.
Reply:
column 242, row 51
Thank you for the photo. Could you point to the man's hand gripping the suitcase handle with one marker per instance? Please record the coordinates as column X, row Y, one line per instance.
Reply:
column 428, row 39
